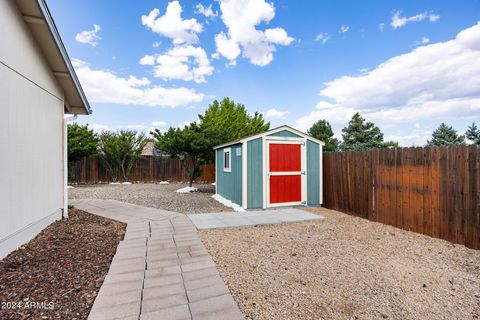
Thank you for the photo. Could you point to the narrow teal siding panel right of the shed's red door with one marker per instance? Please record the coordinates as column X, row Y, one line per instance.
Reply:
column 313, row 173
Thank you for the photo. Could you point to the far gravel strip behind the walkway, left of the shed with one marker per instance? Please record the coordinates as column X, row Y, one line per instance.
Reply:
column 154, row 195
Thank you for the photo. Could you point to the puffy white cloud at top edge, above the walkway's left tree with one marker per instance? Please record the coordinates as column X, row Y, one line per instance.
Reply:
column 171, row 24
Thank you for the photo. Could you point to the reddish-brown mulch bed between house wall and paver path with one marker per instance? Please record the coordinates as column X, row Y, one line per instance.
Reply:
column 57, row 274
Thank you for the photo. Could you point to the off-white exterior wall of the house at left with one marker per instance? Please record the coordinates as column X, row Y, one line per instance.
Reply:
column 31, row 135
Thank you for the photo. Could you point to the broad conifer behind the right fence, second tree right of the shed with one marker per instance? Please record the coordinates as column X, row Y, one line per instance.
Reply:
column 362, row 135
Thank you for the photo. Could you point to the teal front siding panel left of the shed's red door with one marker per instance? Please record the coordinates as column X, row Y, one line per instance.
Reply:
column 254, row 174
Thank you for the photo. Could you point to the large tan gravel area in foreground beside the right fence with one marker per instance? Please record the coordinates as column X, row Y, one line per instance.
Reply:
column 345, row 268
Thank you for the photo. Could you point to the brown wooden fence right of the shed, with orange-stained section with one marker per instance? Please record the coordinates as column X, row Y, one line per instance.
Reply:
column 434, row 191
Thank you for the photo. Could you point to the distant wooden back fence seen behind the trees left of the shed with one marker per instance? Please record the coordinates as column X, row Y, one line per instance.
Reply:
column 145, row 169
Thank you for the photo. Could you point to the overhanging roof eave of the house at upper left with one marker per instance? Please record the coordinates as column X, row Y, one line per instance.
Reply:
column 37, row 16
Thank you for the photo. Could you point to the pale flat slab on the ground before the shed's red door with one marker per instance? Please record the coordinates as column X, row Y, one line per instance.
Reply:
column 251, row 218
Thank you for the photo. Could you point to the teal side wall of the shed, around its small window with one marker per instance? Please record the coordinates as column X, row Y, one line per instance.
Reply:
column 229, row 184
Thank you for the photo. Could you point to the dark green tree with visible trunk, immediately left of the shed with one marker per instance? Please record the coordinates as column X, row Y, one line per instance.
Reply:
column 192, row 145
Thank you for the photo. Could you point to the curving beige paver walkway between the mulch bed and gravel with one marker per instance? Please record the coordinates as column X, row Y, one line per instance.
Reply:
column 161, row 269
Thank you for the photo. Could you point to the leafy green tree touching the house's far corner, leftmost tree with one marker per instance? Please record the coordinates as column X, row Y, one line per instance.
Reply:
column 82, row 142
